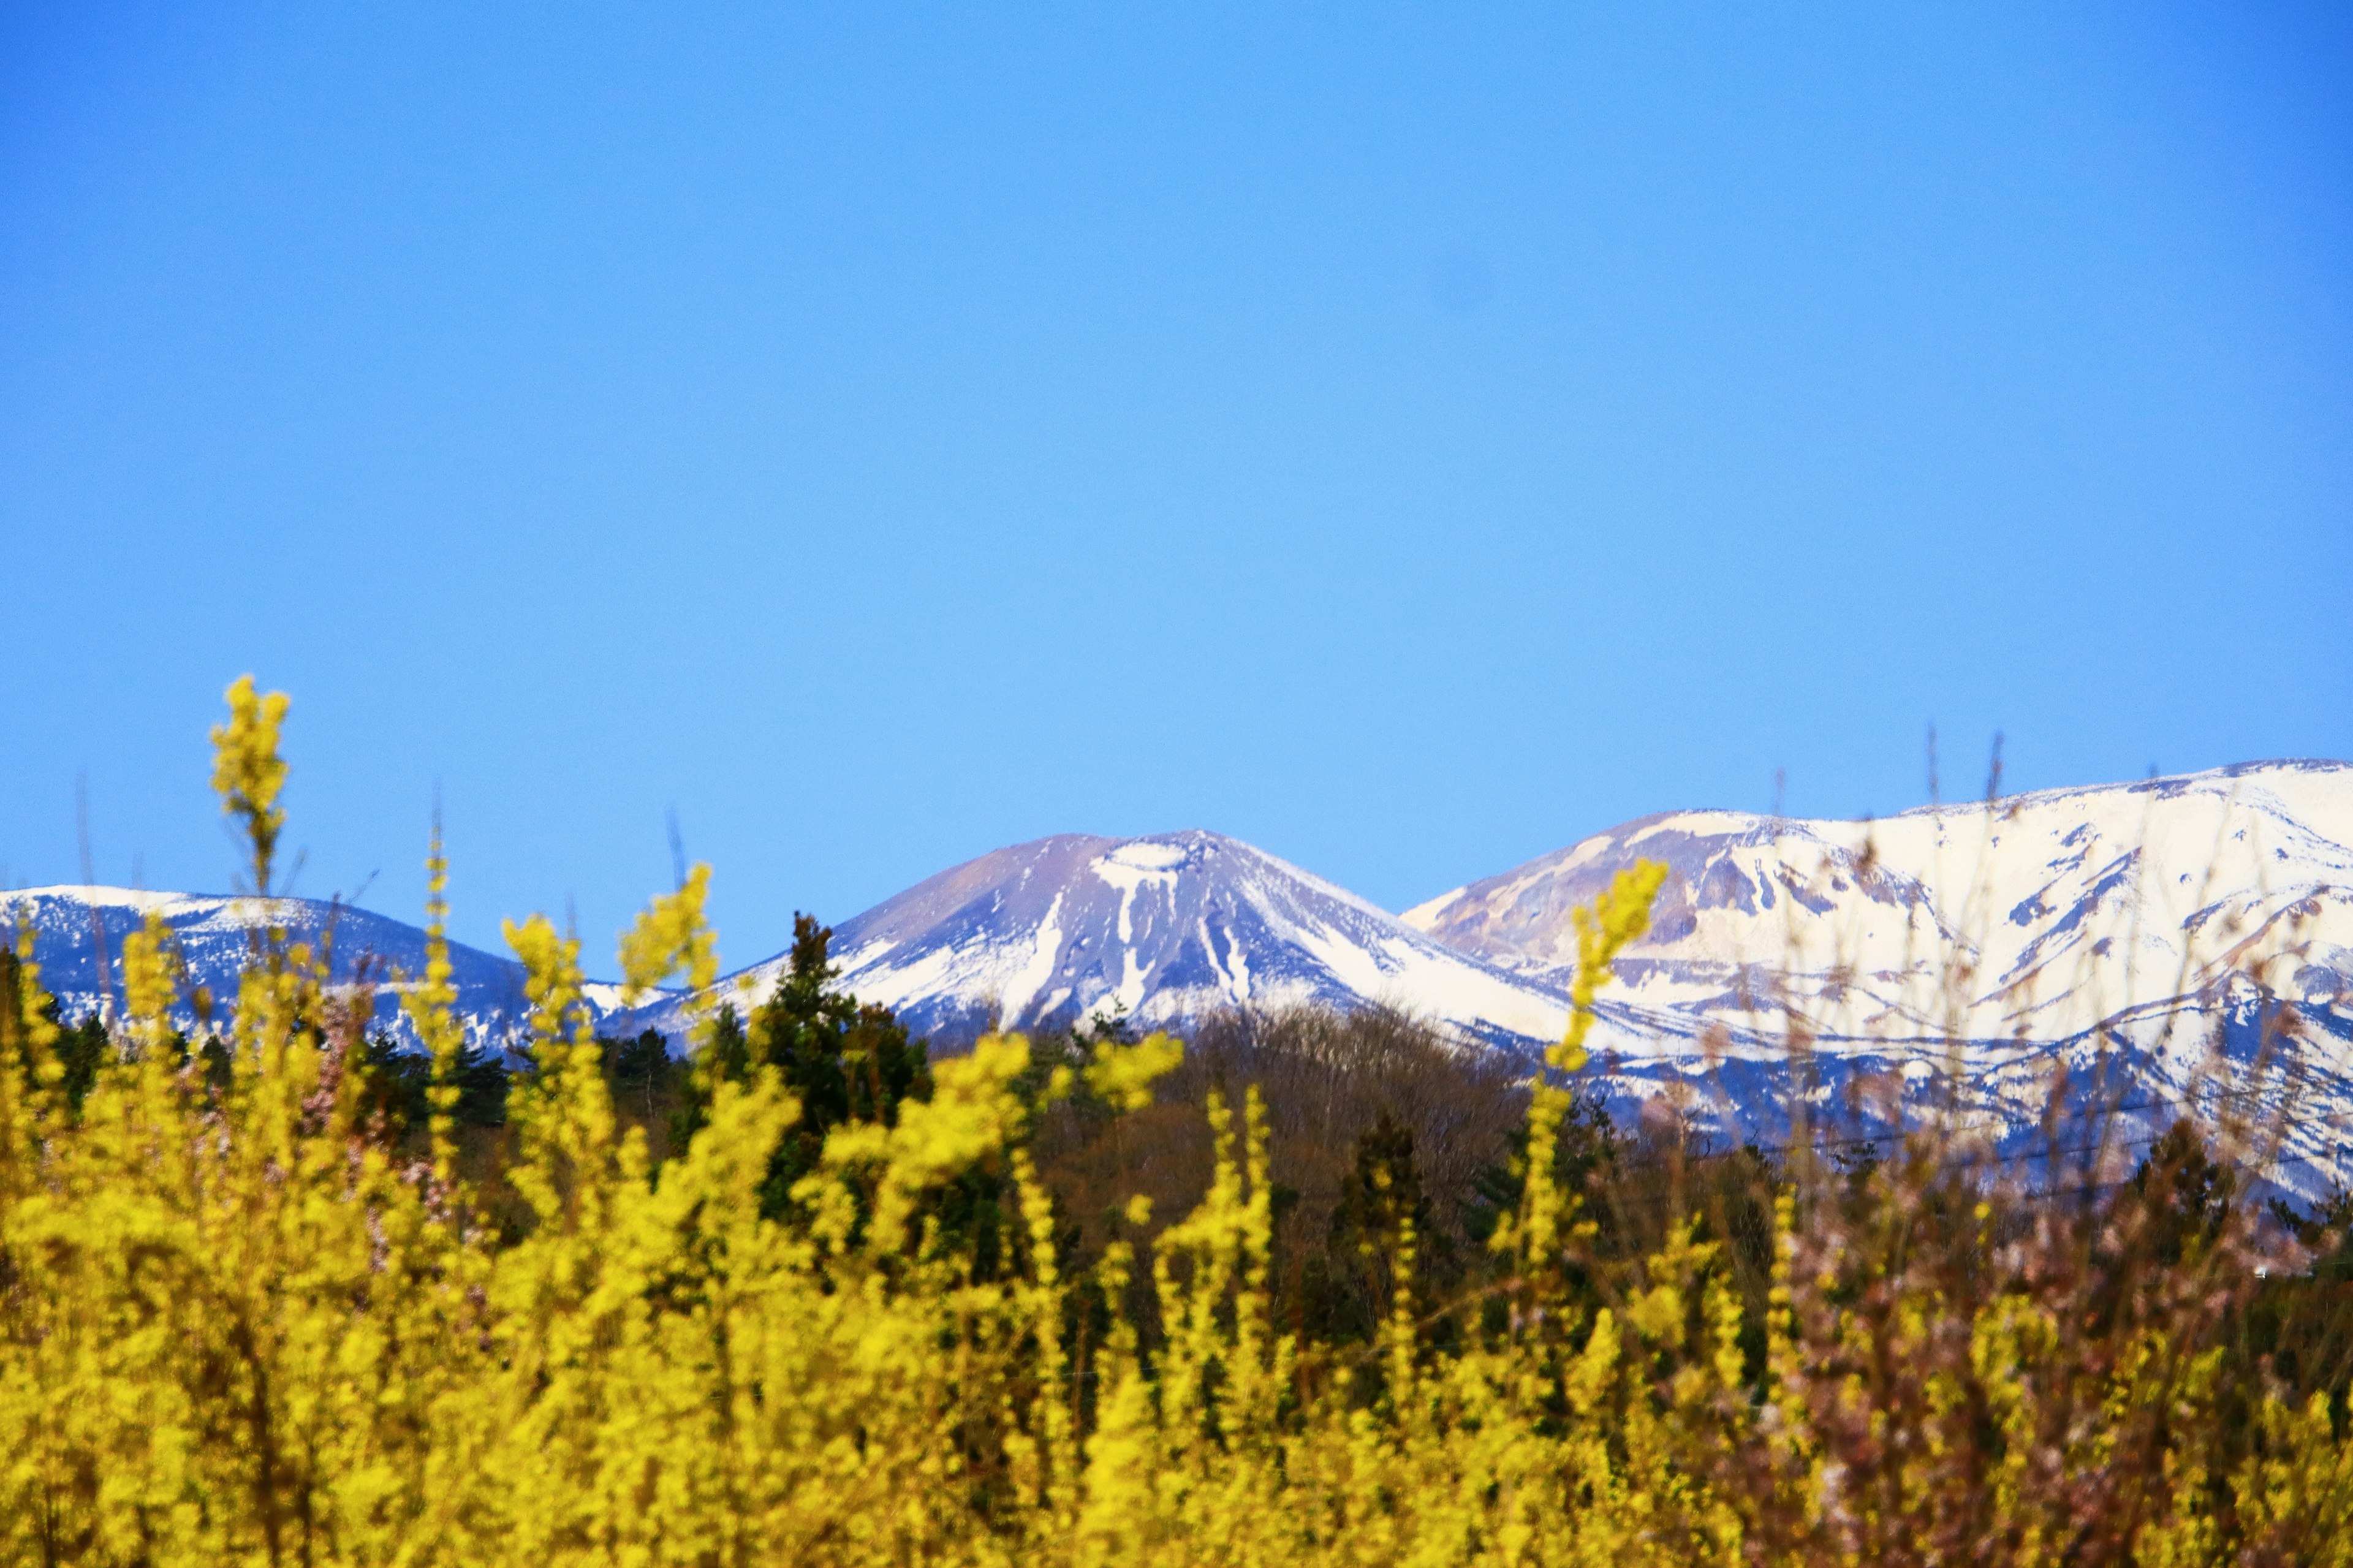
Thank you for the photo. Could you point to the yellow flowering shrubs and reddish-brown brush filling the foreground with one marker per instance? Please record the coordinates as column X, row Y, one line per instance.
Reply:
column 239, row 1329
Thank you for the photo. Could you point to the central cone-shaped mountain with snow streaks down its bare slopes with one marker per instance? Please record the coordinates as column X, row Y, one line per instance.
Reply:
column 1171, row 926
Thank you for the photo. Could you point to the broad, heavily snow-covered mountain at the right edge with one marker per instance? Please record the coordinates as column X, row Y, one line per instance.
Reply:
column 2126, row 931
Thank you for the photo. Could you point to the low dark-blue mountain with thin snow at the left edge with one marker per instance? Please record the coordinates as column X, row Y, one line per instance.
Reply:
column 79, row 929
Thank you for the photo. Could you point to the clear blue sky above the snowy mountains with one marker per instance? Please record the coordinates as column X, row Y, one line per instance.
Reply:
column 1404, row 437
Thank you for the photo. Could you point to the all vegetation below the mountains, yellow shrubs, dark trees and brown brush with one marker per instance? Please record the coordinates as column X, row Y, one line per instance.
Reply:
column 1309, row 1289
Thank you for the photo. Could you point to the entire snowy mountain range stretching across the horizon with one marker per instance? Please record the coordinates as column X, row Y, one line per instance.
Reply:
column 2001, row 941
